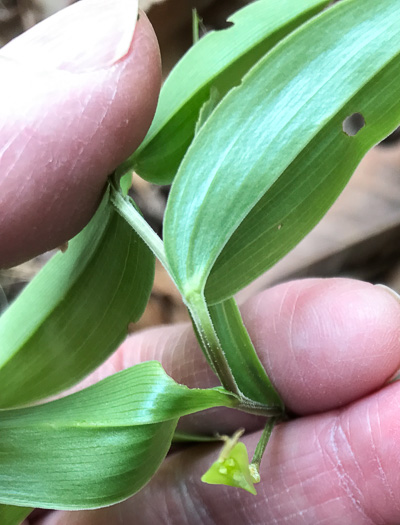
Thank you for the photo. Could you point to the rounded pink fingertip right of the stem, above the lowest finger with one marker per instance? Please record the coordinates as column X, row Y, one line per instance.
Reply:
column 325, row 343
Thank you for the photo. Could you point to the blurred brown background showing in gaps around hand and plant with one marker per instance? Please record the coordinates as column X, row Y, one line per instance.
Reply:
column 359, row 237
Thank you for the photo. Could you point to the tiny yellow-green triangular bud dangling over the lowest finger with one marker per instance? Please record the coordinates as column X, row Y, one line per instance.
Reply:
column 232, row 466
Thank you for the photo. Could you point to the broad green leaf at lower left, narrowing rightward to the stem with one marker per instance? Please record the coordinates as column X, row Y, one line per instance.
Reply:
column 98, row 446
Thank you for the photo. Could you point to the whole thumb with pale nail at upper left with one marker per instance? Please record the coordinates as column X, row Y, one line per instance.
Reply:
column 81, row 90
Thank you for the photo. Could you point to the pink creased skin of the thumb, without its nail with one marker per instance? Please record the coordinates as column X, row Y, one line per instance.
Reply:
column 62, row 134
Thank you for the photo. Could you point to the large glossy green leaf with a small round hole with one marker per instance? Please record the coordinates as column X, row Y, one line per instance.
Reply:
column 273, row 157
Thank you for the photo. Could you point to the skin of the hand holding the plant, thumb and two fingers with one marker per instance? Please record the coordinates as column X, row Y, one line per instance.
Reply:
column 329, row 346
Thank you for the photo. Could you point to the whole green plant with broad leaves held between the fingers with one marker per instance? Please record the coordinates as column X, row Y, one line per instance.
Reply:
column 252, row 141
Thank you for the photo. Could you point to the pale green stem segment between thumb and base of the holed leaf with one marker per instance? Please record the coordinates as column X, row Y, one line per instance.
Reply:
column 138, row 223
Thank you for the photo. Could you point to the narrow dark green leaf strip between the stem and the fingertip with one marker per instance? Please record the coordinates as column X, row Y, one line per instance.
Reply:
column 247, row 370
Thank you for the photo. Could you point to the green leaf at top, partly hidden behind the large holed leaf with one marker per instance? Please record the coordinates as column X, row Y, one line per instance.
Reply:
column 219, row 60
